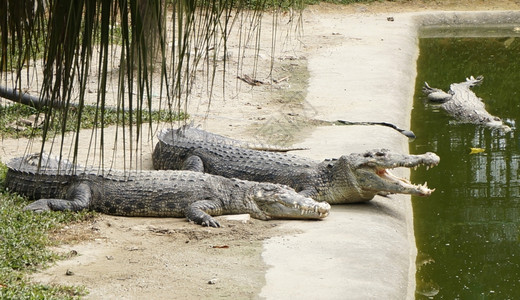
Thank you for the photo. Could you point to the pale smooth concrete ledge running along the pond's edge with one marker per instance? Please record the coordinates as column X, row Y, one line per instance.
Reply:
column 364, row 251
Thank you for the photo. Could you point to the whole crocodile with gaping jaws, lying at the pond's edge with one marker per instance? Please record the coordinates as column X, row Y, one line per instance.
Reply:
column 351, row 178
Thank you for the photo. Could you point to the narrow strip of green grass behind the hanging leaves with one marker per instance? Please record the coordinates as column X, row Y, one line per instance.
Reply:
column 10, row 114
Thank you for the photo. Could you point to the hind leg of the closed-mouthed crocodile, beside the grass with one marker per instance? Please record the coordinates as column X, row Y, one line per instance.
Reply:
column 80, row 195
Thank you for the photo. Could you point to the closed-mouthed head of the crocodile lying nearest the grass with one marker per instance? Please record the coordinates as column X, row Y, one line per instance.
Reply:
column 273, row 201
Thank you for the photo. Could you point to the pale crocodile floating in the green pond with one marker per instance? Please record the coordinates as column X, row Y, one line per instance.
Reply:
column 462, row 104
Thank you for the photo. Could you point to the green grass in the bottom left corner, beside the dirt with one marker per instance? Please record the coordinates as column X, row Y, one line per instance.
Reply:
column 24, row 238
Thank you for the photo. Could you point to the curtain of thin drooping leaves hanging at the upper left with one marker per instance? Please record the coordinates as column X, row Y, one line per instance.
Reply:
column 123, row 43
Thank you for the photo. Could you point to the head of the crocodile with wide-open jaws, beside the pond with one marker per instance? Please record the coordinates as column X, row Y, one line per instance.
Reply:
column 369, row 173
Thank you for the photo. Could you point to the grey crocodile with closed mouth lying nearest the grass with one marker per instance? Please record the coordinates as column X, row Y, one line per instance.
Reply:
column 60, row 185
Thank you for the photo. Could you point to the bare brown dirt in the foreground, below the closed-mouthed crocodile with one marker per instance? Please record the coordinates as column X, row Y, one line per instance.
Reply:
column 162, row 258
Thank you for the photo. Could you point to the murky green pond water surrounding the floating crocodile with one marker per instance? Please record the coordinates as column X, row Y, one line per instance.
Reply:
column 468, row 231
